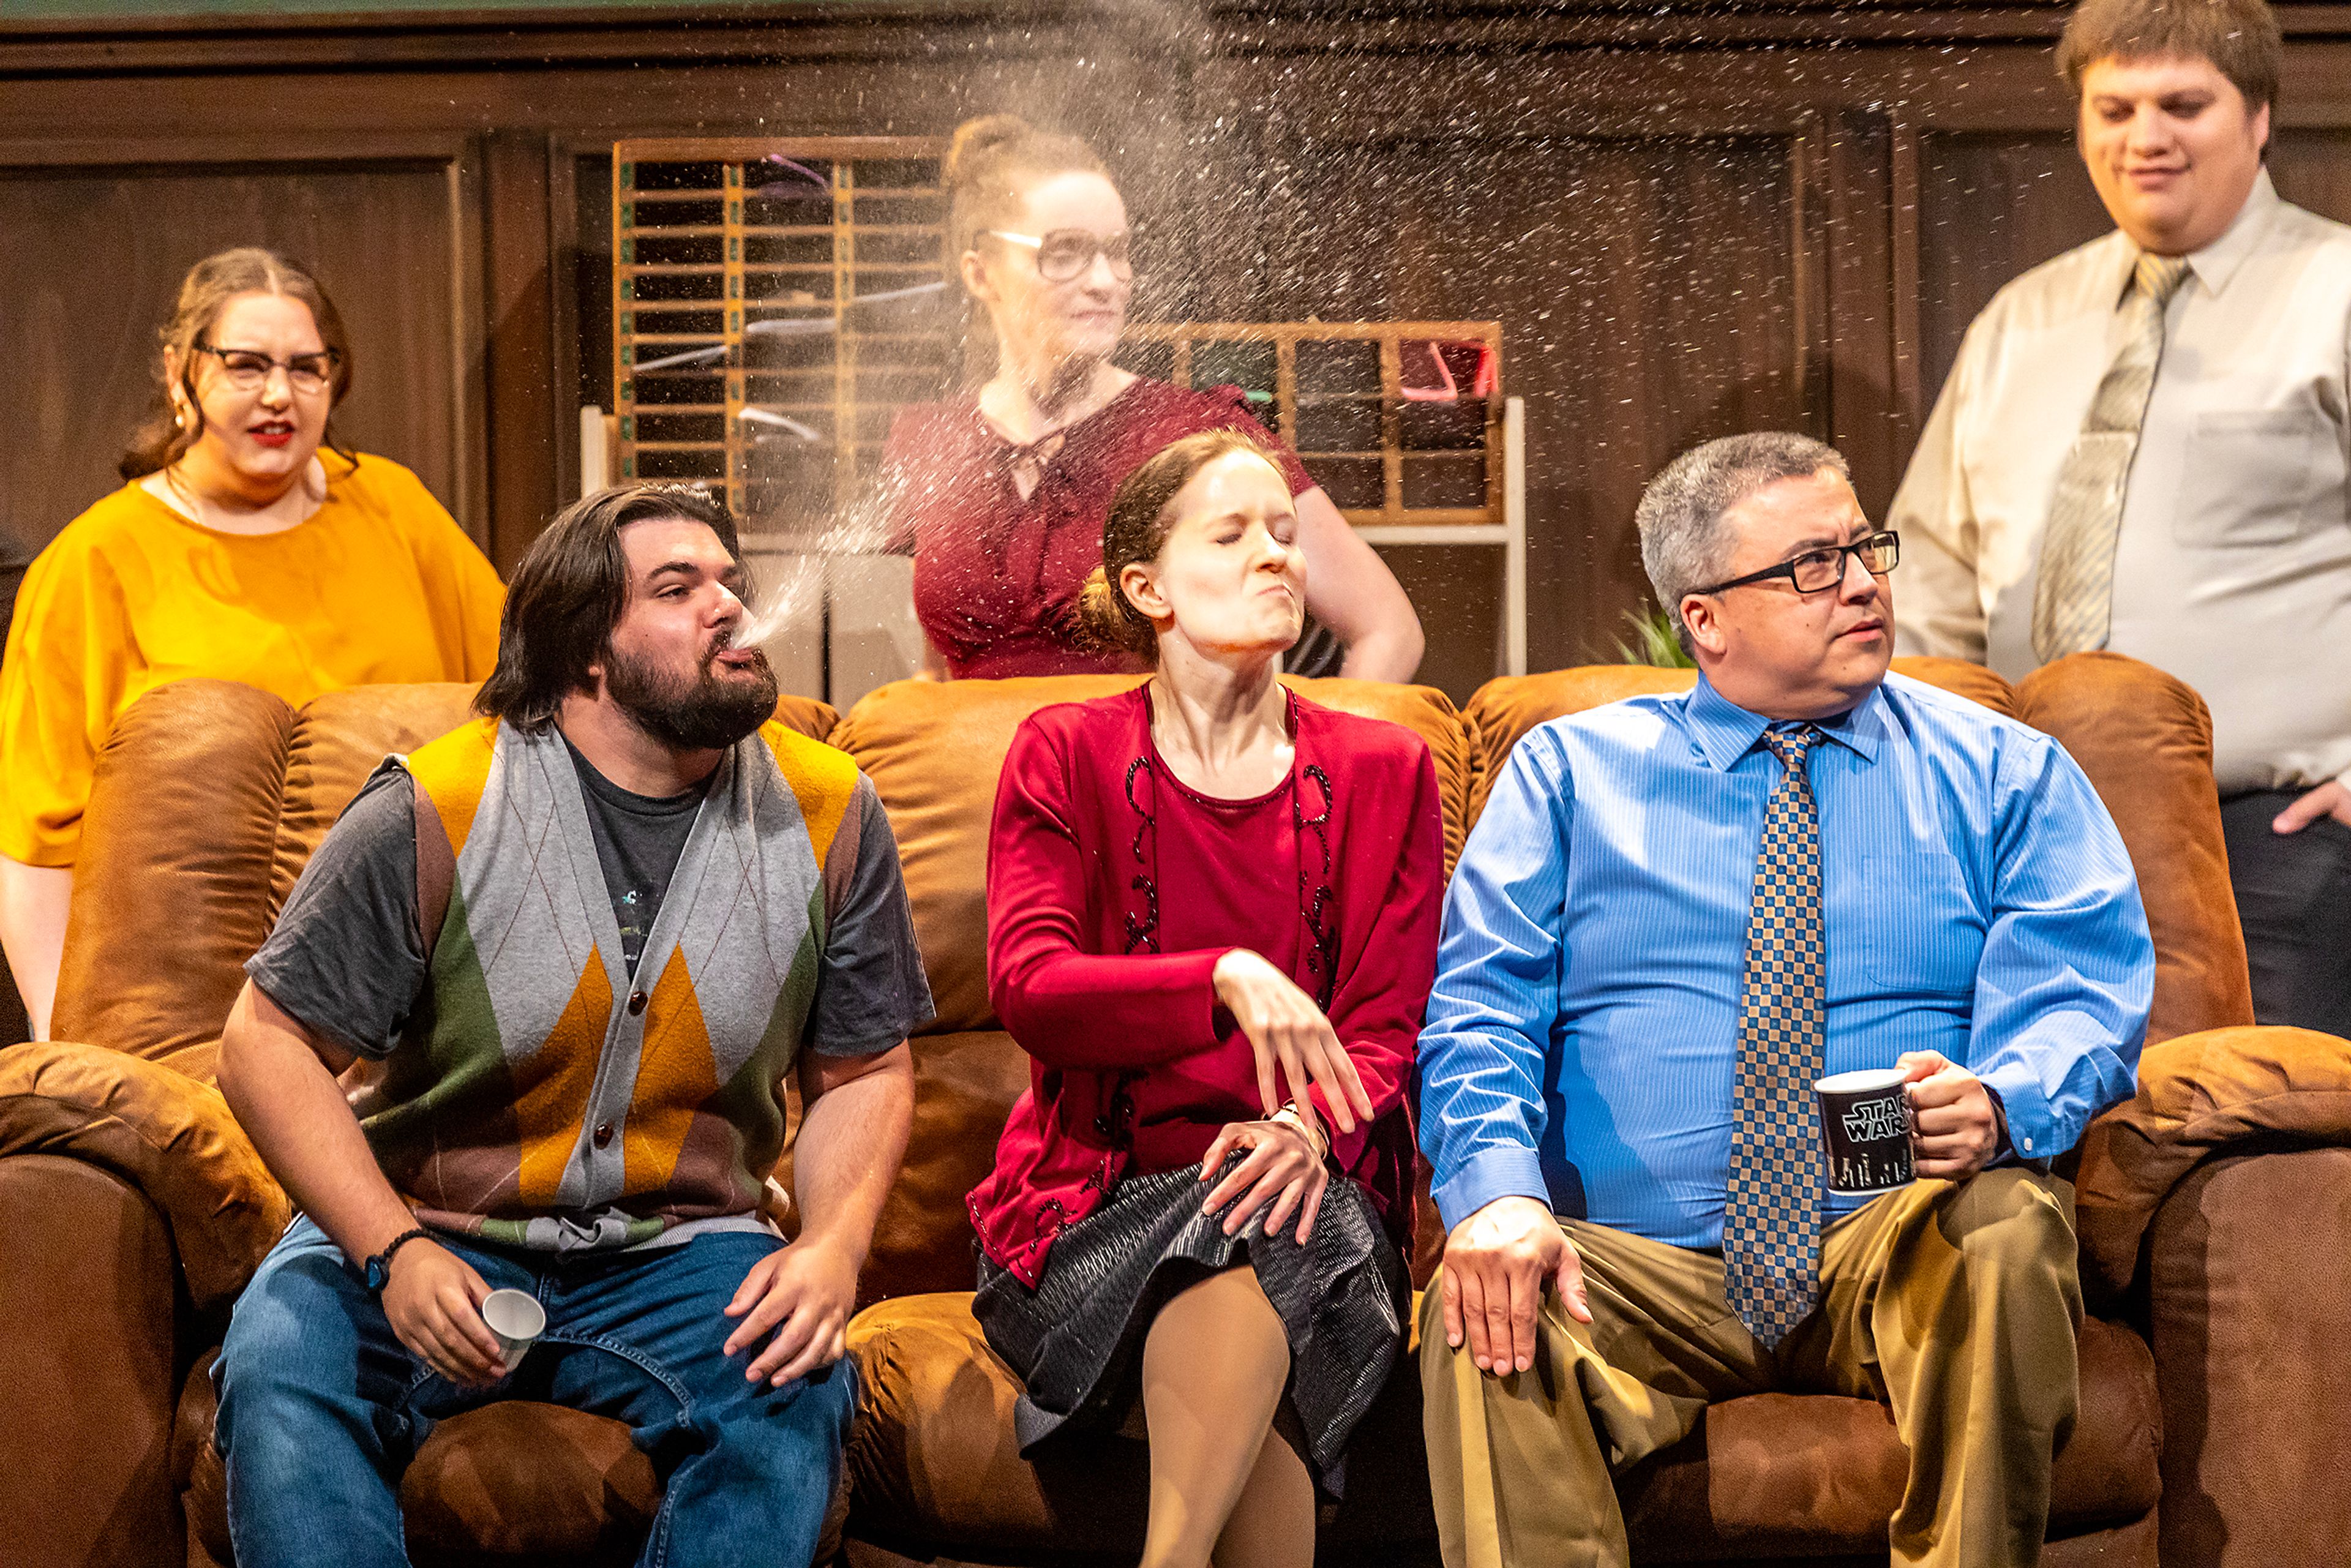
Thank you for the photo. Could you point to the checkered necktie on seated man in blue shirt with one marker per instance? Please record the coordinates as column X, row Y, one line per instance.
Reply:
column 1771, row 1228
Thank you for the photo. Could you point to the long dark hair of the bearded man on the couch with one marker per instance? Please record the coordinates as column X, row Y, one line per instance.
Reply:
column 570, row 591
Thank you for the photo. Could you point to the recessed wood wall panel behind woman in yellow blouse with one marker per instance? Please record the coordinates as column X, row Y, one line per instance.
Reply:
column 93, row 255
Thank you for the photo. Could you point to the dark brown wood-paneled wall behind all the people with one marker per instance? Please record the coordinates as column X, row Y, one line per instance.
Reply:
column 1692, row 220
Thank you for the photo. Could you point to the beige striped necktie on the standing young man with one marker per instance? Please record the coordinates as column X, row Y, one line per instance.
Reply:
column 2075, row 594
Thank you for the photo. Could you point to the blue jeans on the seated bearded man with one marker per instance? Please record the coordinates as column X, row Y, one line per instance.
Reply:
column 323, row 1407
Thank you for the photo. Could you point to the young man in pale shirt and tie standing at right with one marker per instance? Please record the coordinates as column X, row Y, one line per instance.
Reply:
column 2145, row 445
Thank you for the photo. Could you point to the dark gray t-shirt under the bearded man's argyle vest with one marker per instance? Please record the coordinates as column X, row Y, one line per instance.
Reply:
column 351, row 963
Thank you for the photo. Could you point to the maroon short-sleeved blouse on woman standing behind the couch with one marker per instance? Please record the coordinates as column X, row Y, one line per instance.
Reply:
column 998, row 577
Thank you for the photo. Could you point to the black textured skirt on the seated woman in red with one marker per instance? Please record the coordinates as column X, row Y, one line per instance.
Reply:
column 1078, row 1339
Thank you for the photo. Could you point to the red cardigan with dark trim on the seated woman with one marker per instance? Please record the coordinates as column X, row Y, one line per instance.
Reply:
column 1078, row 979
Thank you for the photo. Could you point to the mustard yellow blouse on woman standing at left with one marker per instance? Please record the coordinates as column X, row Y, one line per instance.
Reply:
column 375, row 587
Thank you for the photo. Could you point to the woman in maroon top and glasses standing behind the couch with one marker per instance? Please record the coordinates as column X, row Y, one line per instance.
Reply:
column 1003, row 495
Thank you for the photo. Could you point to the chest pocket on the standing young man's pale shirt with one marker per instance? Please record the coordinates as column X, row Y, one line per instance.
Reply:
column 2256, row 478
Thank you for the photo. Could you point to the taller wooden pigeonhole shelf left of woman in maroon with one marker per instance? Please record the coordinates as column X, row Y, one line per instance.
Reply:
column 718, row 243
